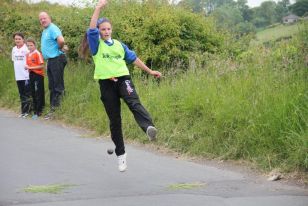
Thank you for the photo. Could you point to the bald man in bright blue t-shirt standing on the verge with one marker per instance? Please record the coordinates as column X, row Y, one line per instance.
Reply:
column 52, row 44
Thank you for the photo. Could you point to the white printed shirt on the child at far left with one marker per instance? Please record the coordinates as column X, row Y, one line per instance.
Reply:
column 19, row 59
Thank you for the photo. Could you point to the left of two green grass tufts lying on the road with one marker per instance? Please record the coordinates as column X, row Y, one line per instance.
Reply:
column 52, row 188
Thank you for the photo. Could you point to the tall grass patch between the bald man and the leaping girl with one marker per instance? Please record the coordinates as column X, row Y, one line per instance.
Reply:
column 82, row 105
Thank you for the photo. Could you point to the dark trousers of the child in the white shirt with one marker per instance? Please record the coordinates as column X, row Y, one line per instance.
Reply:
column 24, row 95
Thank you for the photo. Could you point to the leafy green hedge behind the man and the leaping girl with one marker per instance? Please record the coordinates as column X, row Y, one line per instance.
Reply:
column 161, row 34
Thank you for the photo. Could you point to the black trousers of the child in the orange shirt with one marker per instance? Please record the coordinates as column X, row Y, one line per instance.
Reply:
column 38, row 92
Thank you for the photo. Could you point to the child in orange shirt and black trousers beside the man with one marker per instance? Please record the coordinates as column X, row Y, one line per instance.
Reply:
column 35, row 65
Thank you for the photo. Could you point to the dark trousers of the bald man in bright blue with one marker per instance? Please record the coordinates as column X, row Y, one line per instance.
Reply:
column 55, row 73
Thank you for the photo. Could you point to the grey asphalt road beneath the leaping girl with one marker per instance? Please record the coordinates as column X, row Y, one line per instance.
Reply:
column 38, row 152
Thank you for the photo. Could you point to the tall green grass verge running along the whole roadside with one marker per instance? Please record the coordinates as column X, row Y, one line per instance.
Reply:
column 254, row 108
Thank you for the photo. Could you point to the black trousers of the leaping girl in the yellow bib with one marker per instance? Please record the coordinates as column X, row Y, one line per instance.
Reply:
column 111, row 93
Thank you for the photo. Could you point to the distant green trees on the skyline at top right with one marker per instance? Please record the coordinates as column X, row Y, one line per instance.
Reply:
column 234, row 14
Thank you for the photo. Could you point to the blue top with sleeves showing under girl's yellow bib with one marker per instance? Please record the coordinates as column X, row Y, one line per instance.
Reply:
column 93, row 40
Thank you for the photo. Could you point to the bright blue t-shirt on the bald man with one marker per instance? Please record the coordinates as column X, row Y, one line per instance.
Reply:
column 49, row 45
